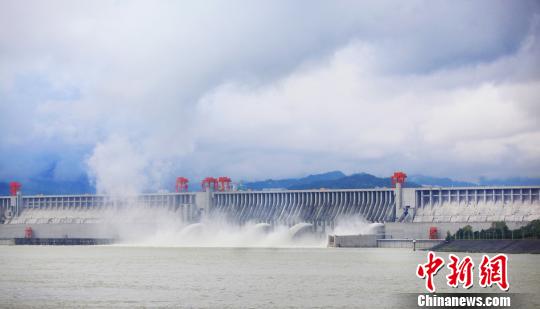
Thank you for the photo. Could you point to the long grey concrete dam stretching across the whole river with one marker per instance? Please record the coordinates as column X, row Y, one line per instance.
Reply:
column 407, row 213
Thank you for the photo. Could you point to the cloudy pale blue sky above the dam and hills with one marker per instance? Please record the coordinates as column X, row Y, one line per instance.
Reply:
column 135, row 93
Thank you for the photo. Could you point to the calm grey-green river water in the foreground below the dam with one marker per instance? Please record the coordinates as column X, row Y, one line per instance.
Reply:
column 132, row 276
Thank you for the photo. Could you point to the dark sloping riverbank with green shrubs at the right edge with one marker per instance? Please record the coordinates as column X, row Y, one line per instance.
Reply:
column 490, row 246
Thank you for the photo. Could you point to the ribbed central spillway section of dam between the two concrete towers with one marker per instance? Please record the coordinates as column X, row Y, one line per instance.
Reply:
column 314, row 206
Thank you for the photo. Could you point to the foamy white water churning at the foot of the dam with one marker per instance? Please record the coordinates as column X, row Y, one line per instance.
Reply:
column 215, row 231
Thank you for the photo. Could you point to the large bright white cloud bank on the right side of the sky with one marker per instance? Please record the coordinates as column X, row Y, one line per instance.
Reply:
column 347, row 108
